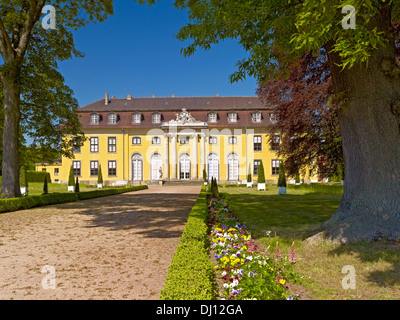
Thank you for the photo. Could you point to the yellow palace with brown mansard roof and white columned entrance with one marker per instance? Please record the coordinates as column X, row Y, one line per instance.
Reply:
column 145, row 140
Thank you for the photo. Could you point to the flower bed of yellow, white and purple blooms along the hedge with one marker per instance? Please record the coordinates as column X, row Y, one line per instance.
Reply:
column 245, row 271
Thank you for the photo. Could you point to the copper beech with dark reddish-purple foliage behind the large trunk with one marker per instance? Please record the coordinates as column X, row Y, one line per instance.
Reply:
column 306, row 118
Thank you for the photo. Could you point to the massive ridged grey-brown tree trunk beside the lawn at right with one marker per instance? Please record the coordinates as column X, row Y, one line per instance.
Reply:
column 369, row 97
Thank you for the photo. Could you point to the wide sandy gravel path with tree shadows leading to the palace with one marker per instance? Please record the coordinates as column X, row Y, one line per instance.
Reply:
column 116, row 247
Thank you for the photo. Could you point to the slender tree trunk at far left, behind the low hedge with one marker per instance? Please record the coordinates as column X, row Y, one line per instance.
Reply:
column 10, row 180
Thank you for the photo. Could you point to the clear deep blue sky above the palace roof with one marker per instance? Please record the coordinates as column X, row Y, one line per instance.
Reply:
column 135, row 52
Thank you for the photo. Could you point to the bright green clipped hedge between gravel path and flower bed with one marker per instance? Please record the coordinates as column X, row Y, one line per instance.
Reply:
column 191, row 274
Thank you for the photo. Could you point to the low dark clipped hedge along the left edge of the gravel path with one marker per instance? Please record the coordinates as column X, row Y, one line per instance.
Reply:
column 15, row 204
